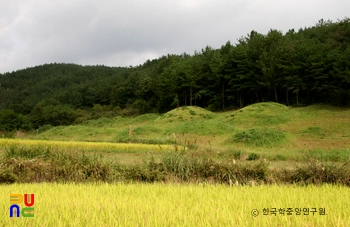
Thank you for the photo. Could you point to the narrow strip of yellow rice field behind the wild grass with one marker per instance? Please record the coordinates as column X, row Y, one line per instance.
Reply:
column 85, row 146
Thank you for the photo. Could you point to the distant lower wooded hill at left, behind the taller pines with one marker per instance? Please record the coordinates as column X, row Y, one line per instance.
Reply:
column 75, row 85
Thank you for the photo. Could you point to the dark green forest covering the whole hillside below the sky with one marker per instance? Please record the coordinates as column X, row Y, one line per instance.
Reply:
column 307, row 66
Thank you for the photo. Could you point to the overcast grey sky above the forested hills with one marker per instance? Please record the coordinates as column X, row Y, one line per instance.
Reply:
column 128, row 32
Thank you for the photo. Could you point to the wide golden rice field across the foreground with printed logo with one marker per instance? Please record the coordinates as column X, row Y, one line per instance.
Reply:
column 177, row 205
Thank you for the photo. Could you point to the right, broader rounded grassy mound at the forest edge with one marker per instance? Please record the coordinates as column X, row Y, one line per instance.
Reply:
column 262, row 114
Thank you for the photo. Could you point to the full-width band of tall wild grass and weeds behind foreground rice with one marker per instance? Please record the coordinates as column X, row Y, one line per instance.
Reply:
column 30, row 164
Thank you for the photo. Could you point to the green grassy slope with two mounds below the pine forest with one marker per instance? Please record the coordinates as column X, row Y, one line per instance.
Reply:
column 262, row 128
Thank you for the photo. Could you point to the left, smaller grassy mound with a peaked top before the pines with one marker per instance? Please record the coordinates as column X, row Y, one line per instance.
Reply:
column 185, row 113
